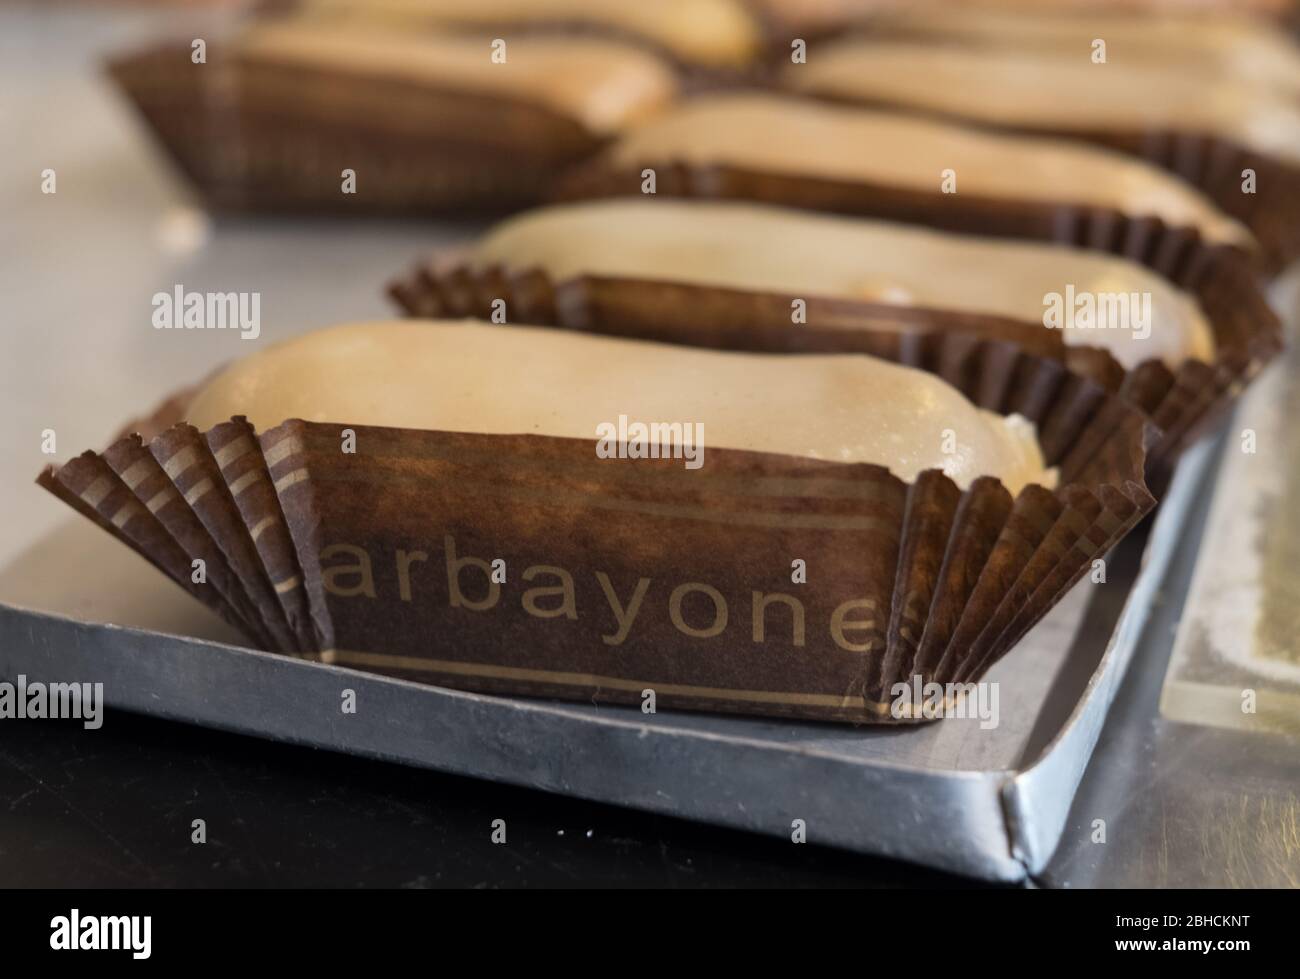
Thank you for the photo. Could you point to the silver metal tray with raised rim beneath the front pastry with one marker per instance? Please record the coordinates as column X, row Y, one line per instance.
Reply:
column 986, row 803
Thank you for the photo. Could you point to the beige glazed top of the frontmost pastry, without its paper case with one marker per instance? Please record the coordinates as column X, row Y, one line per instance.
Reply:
column 504, row 380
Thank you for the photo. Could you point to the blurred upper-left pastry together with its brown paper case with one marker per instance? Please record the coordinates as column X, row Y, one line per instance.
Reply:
column 311, row 115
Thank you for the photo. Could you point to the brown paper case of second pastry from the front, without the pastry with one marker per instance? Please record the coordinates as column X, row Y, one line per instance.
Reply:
column 1180, row 402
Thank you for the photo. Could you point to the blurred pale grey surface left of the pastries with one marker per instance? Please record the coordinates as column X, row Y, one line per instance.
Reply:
column 79, row 268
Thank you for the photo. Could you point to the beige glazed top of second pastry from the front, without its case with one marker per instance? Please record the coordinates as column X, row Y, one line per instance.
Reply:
column 778, row 250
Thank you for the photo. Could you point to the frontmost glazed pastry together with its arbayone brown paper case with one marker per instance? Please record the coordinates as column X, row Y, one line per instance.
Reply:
column 436, row 506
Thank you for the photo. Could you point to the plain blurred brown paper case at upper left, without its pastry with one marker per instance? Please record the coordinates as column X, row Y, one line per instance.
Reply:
column 255, row 136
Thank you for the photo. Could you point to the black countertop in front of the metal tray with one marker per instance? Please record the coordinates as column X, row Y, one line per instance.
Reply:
column 114, row 808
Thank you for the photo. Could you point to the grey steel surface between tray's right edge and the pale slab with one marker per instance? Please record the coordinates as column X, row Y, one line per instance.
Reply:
column 1181, row 805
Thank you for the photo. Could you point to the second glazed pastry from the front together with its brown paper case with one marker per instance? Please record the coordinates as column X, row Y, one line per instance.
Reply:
column 739, row 276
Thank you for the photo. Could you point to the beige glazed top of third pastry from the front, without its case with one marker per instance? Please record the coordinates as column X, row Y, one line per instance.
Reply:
column 775, row 135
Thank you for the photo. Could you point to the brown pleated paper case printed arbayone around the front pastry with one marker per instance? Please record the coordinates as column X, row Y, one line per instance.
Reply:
column 626, row 577
